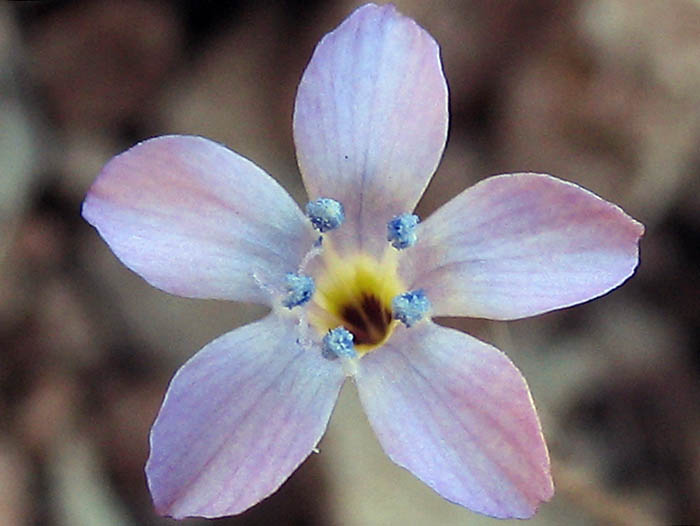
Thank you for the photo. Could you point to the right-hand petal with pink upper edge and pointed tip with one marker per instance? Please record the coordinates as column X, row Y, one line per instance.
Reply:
column 518, row 245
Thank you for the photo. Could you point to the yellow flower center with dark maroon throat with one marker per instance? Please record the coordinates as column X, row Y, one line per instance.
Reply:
column 356, row 292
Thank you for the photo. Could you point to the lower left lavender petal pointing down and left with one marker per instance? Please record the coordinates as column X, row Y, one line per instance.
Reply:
column 238, row 419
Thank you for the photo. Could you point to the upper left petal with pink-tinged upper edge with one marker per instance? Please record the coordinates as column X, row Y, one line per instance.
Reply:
column 196, row 219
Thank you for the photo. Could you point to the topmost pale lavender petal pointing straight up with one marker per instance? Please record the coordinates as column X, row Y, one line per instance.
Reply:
column 370, row 120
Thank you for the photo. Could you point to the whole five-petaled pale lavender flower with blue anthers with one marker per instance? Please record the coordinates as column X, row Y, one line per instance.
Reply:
column 353, row 284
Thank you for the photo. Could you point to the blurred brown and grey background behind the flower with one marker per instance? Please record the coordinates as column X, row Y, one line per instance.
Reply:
column 605, row 93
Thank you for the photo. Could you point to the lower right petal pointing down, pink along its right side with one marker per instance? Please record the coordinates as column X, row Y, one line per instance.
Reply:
column 457, row 414
